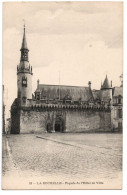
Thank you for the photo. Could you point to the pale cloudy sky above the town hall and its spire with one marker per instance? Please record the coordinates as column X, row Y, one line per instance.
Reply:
column 81, row 40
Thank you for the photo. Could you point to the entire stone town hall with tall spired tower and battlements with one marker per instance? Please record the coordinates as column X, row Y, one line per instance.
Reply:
column 58, row 108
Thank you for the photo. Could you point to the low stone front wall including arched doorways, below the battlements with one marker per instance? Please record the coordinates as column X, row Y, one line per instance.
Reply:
column 63, row 119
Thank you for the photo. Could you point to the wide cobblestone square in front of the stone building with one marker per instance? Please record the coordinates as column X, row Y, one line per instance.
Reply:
column 66, row 156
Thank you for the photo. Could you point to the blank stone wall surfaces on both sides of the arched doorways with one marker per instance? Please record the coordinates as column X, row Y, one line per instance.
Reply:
column 75, row 121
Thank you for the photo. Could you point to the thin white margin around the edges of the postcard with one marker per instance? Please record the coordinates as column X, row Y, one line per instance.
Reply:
column 124, row 190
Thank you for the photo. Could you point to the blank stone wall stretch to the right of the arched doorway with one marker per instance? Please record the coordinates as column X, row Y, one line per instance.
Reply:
column 86, row 121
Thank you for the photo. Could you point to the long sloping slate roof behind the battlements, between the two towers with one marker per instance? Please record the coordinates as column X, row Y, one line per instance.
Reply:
column 75, row 92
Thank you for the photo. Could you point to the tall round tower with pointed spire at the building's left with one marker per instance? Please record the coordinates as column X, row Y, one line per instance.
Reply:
column 24, row 74
